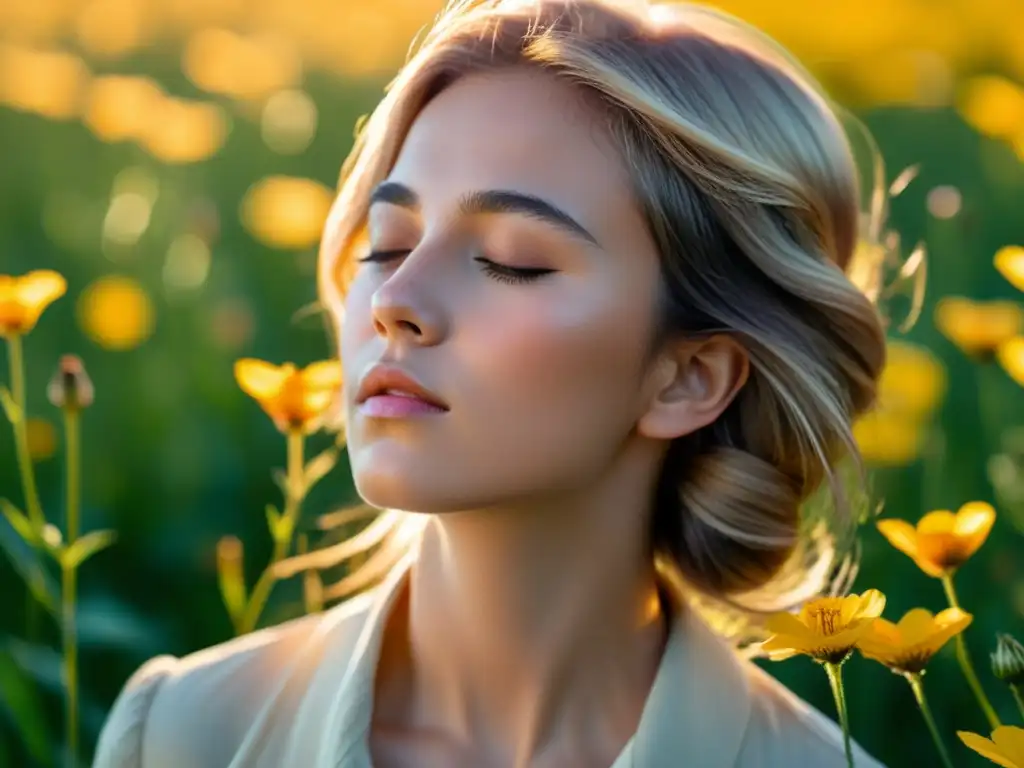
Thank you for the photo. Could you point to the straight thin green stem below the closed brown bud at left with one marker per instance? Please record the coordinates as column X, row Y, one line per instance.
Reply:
column 70, row 574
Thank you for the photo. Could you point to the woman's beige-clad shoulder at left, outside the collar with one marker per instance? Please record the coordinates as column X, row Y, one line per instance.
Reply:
column 200, row 710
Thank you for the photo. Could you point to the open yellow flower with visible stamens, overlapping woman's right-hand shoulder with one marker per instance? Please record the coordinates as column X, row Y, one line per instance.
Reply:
column 827, row 629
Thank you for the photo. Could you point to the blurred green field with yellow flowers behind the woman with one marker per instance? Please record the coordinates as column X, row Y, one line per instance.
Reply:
column 174, row 160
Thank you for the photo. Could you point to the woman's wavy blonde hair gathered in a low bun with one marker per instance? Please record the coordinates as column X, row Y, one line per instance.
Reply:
column 748, row 182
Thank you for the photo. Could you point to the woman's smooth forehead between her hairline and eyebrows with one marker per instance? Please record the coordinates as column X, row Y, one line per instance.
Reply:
column 522, row 131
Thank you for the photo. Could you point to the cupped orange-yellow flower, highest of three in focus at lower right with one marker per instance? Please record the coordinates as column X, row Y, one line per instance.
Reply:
column 943, row 541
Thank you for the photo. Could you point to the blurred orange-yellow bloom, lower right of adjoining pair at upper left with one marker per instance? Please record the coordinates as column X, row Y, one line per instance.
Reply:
column 183, row 132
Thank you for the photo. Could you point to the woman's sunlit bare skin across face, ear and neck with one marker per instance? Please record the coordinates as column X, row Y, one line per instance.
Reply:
column 553, row 424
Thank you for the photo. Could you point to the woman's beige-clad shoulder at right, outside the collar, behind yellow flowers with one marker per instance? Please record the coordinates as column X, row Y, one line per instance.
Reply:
column 785, row 731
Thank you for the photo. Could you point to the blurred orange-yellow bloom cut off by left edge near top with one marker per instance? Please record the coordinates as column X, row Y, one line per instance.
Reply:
column 46, row 82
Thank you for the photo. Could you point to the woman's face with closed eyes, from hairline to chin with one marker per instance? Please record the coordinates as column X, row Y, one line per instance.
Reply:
column 542, row 370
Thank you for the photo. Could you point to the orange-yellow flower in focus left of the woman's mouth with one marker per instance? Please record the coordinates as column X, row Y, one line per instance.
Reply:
column 295, row 400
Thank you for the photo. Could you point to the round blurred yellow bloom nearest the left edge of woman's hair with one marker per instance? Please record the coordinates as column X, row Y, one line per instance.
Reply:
column 287, row 212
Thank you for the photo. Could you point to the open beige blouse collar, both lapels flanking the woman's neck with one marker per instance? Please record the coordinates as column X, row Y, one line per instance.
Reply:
column 699, row 706
